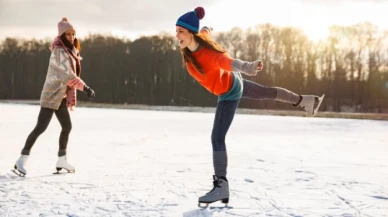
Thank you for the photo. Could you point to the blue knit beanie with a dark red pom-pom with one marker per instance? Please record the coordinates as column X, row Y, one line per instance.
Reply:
column 190, row 20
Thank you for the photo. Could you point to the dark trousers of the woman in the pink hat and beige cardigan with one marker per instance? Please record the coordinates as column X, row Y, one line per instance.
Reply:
column 44, row 119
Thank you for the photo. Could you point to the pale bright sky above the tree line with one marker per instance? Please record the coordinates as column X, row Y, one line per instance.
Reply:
column 132, row 18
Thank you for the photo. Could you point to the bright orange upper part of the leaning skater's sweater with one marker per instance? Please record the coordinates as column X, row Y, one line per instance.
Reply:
column 217, row 75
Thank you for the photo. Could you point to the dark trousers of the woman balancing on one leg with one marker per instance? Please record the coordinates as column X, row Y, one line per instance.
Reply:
column 223, row 119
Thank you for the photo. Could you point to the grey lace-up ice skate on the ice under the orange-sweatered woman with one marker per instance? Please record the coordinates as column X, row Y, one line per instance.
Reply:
column 220, row 192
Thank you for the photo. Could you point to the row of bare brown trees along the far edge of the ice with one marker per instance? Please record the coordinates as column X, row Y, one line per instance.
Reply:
column 350, row 66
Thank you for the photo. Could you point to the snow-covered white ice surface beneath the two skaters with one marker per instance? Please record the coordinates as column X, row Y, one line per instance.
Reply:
column 157, row 163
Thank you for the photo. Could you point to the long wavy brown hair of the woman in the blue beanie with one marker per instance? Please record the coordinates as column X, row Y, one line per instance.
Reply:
column 203, row 41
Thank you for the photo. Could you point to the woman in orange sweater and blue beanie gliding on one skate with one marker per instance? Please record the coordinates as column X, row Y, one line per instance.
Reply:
column 220, row 74
